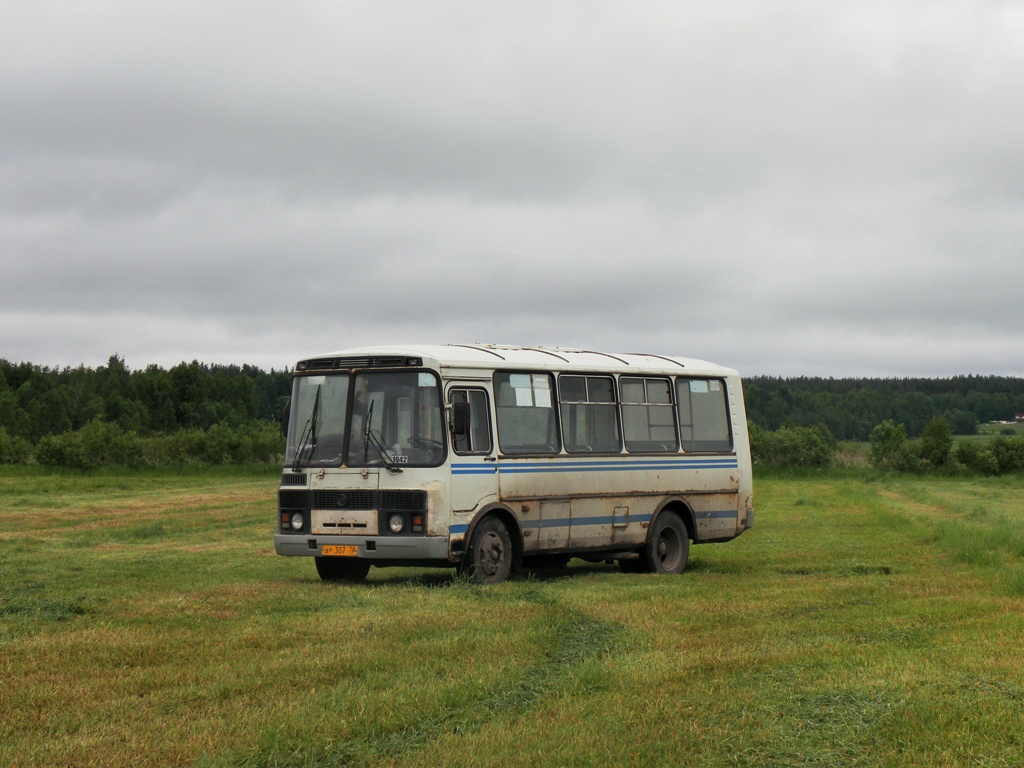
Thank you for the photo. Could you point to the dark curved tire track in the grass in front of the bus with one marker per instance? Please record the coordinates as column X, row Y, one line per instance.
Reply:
column 581, row 641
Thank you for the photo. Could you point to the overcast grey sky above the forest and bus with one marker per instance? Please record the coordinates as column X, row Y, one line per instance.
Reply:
column 784, row 188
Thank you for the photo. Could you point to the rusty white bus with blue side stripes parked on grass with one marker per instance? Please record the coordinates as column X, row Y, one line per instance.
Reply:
column 488, row 458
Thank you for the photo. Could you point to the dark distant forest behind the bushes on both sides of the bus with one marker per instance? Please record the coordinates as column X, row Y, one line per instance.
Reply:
column 38, row 402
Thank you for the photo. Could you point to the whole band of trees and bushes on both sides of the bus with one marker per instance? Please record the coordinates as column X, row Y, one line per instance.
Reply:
column 196, row 412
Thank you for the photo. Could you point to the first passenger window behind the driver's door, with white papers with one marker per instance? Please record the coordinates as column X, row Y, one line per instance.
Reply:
column 526, row 411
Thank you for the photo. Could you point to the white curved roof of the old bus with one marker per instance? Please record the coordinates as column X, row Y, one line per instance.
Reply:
column 492, row 357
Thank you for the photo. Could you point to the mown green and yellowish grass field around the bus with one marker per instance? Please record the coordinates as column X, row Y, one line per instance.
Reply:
column 867, row 621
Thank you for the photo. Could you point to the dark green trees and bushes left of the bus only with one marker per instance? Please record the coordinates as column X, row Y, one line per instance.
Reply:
column 113, row 415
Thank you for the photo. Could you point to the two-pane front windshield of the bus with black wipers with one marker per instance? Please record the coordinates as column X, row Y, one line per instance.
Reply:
column 395, row 421
